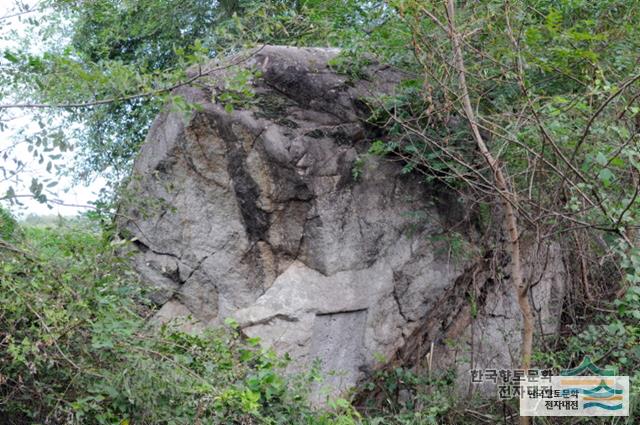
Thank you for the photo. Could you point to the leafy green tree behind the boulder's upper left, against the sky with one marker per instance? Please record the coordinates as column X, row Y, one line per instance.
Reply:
column 101, row 69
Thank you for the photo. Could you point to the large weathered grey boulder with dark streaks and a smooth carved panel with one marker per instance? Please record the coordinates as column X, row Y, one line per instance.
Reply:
column 254, row 213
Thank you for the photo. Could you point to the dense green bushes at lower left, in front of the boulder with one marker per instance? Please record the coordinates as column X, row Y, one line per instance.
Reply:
column 75, row 348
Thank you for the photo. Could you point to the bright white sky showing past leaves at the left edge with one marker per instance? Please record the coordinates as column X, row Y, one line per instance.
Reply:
column 66, row 192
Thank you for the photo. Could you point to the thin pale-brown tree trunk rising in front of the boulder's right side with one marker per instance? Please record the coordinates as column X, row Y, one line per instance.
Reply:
column 507, row 197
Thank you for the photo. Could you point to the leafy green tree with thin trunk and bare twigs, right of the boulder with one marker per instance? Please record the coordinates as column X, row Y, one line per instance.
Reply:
column 548, row 97
